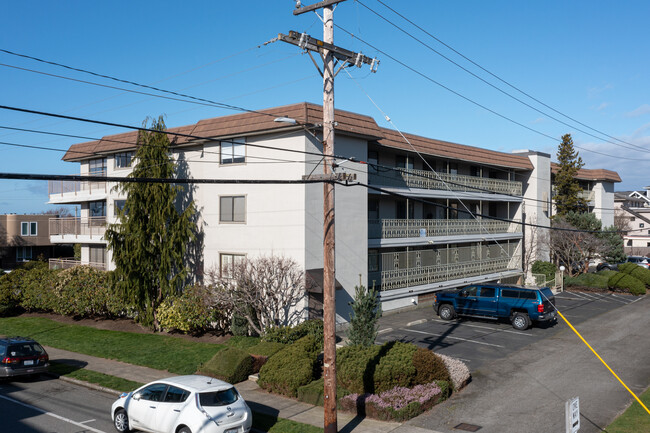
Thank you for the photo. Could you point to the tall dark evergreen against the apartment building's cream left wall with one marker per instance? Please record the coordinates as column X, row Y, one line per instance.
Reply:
column 150, row 240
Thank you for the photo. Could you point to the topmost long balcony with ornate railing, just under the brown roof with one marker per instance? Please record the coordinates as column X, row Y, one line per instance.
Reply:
column 425, row 179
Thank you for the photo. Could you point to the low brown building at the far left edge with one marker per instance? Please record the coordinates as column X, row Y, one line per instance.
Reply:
column 24, row 238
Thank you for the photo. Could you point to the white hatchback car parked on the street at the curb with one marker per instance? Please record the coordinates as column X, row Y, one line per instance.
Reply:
column 183, row 404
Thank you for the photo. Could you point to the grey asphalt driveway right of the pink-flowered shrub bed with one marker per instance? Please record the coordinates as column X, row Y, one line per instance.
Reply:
column 526, row 388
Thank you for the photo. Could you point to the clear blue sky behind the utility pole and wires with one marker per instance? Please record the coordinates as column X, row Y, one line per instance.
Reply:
column 586, row 59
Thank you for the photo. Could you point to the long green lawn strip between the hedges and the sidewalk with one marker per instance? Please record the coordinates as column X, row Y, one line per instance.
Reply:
column 150, row 350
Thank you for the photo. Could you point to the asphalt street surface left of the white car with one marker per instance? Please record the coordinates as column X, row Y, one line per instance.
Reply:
column 49, row 405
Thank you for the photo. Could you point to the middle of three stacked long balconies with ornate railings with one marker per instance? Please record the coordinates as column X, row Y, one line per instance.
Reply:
column 401, row 228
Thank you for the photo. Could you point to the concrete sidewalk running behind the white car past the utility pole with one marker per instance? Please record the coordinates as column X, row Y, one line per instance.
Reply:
column 258, row 399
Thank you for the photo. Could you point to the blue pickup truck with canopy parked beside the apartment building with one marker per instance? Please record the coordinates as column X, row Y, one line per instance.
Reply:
column 521, row 305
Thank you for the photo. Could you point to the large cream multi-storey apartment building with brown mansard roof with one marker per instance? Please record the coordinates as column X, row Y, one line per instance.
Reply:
column 406, row 248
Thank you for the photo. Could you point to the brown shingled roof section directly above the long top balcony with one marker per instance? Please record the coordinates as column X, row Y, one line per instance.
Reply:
column 449, row 150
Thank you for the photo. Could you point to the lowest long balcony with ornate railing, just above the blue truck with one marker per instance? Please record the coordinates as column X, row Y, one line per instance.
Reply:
column 415, row 268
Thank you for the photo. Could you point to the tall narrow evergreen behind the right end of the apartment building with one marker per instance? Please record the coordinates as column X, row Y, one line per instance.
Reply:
column 567, row 188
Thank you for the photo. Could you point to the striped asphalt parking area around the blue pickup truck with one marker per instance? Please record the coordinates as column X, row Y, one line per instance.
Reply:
column 477, row 341
